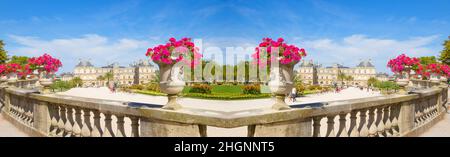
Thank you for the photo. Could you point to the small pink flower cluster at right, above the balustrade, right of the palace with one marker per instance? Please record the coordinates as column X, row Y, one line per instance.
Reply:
column 404, row 63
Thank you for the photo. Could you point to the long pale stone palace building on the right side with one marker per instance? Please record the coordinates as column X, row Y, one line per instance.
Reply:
column 311, row 73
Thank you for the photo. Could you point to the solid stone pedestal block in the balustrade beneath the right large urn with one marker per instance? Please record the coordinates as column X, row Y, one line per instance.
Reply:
column 297, row 128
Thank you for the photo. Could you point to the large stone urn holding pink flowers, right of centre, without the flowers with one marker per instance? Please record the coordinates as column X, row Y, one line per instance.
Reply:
column 281, row 83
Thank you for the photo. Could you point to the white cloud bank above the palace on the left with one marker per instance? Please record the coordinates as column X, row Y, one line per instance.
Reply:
column 98, row 48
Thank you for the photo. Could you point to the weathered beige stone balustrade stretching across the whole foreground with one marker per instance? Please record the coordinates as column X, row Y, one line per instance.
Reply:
column 383, row 116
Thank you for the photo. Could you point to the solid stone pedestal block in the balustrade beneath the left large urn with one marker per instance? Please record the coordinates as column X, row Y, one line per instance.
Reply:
column 157, row 128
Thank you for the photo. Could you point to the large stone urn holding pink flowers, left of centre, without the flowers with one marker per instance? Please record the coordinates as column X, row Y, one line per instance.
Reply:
column 172, row 83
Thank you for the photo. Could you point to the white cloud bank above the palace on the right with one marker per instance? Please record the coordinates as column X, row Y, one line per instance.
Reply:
column 349, row 50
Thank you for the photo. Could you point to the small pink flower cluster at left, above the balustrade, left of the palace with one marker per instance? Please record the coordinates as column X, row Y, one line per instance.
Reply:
column 44, row 63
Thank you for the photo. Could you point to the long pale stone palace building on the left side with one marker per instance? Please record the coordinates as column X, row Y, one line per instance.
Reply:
column 140, row 72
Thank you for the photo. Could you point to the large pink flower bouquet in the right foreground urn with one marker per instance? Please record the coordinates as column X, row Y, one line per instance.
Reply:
column 286, row 53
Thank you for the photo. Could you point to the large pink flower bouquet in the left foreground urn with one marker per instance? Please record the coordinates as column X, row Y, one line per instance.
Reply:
column 175, row 51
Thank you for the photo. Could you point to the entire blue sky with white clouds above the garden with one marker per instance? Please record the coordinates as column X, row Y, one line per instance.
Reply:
column 336, row 31
